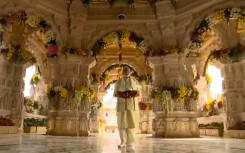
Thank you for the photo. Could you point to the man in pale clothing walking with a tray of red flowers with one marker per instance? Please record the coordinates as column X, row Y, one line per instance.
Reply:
column 126, row 91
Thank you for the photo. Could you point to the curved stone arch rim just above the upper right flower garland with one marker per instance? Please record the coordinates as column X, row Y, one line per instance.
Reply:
column 200, row 16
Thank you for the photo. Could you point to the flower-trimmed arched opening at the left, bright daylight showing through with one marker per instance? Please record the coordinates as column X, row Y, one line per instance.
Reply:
column 25, row 40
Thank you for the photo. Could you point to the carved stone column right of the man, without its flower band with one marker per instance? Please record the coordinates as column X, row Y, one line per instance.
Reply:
column 173, row 72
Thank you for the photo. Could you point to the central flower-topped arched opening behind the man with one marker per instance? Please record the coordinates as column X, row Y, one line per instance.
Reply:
column 113, row 51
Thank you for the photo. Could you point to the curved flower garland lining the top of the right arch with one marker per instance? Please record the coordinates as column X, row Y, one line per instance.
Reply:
column 226, row 14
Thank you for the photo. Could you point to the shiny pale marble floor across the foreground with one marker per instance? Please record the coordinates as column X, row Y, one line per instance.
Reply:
column 107, row 143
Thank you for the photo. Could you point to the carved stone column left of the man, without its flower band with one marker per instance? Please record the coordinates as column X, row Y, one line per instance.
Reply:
column 74, row 71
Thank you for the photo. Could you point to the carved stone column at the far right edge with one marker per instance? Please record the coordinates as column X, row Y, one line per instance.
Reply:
column 234, row 87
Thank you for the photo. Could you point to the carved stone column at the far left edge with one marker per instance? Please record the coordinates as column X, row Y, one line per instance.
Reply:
column 11, row 95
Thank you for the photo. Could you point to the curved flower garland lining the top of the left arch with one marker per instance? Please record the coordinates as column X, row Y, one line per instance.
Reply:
column 32, row 22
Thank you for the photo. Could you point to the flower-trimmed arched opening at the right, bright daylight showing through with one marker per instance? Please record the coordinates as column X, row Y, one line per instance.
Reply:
column 218, row 40
